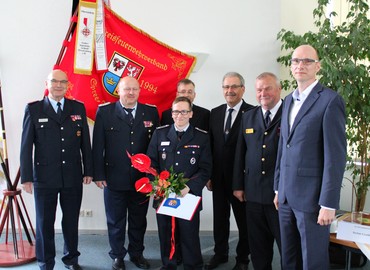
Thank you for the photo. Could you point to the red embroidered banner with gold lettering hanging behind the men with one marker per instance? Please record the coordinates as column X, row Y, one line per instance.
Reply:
column 130, row 52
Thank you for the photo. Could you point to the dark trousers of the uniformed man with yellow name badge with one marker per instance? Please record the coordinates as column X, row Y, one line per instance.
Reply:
column 263, row 230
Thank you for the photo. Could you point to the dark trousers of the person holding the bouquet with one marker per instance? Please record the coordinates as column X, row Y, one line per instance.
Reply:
column 189, row 241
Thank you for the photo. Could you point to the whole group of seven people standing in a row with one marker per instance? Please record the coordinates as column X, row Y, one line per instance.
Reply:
column 275, row 165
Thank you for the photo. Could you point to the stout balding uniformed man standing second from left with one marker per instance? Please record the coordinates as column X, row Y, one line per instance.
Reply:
column 125, row 125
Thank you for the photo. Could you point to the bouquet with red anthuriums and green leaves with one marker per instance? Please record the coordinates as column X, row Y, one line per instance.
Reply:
column 163, row 184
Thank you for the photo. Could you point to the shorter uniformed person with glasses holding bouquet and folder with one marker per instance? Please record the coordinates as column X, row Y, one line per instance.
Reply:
column 189, row 153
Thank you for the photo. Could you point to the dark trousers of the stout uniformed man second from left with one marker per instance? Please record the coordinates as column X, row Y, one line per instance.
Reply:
column 120, row 207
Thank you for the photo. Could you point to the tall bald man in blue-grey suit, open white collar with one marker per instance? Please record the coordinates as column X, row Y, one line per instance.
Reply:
column 310, row 165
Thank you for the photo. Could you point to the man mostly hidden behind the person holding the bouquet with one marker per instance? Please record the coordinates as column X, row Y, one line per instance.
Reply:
column 200, row 119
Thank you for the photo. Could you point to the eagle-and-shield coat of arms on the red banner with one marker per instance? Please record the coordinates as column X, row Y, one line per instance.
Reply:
column 120, row 66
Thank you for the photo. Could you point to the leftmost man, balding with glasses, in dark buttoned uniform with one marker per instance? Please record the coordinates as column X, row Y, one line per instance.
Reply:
column 56, row 130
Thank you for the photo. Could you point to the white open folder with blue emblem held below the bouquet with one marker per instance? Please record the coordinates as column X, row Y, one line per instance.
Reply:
column 180, row 207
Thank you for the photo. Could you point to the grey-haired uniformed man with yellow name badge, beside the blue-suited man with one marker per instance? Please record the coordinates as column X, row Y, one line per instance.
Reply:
column 254, row 168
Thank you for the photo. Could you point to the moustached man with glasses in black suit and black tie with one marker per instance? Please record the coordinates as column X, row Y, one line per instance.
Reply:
column 224, row 130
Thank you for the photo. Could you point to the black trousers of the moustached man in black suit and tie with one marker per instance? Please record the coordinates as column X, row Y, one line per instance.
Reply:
column 223, row 200
